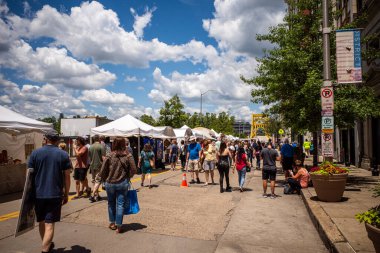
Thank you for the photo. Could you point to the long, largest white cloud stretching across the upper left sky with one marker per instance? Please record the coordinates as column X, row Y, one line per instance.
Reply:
column 104, row 40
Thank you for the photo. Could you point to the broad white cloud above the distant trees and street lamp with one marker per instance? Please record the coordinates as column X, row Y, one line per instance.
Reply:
column 223, row 80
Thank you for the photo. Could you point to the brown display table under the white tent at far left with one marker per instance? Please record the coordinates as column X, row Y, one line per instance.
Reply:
column 12, row 178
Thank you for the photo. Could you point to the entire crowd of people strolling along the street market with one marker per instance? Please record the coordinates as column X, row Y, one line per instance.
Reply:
column 114, row 167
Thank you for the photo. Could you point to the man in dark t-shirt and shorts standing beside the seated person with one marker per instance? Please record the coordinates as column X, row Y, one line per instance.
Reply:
column 269, row 156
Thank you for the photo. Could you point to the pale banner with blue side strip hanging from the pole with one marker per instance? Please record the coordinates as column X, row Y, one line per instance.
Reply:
column 348, row 56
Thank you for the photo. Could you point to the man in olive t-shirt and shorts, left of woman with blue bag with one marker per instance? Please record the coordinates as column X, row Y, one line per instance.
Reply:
column 96, row 153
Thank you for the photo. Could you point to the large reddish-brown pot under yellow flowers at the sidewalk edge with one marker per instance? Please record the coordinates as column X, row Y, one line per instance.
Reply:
column 329, row 188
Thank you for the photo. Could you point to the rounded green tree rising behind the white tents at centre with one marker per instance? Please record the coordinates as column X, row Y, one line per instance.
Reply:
column 172, row 113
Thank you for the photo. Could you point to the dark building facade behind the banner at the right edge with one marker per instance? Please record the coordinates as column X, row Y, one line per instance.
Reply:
column 359, row 145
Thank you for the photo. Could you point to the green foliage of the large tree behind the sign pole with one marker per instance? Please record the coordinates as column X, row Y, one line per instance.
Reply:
column 289, row 76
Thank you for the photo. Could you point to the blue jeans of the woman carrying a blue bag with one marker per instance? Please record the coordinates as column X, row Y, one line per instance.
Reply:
column 117, row 196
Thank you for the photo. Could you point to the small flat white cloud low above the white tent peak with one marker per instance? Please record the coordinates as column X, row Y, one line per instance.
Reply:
column 104, row 96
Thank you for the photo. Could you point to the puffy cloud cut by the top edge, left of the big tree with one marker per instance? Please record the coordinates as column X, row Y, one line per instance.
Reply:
column 237, row 22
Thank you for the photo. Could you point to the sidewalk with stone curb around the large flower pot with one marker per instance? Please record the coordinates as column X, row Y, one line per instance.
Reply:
column 336, row 222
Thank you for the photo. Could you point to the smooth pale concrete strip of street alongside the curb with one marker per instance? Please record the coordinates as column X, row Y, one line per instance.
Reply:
column 270, row 225
